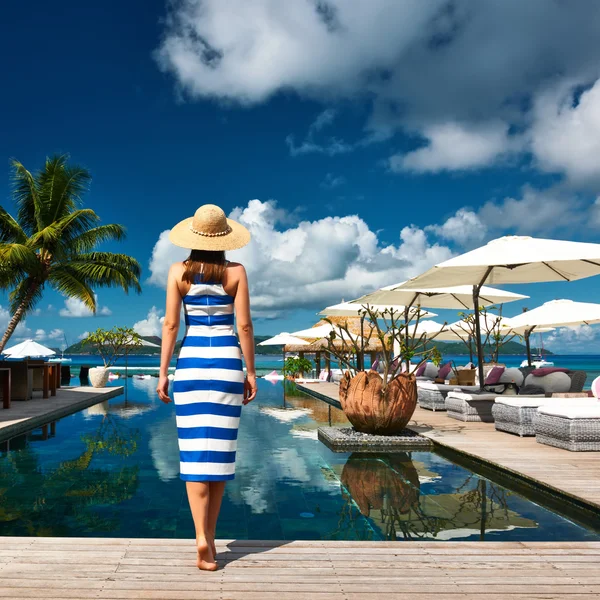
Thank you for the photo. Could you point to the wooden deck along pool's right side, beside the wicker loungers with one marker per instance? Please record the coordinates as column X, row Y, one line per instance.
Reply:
column 574, row 474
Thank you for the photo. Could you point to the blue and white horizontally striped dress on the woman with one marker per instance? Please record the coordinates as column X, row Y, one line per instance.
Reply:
column 208, row 387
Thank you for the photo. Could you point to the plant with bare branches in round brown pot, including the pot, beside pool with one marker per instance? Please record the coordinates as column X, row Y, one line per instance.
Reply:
column 382, row 404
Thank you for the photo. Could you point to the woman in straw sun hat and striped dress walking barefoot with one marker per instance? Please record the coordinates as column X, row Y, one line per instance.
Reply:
column 209, row 387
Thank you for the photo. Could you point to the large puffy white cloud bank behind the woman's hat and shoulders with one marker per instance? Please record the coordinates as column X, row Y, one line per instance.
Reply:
column 314, row 263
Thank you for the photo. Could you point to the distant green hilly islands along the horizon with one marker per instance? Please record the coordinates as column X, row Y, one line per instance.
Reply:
column 510, row 348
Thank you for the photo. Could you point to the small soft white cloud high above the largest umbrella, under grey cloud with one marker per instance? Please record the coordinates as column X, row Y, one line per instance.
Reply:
column 457, row 146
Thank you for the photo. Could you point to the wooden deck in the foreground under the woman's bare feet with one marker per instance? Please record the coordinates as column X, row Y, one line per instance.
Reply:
column 78, row 568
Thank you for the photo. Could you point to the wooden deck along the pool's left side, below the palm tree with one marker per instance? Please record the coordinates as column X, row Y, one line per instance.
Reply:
column 24, row 415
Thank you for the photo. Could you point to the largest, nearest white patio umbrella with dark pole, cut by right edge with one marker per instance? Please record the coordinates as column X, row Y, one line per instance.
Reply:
column 512, row 259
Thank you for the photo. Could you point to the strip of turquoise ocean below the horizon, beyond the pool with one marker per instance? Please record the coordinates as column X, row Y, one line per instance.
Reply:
column 149, row 364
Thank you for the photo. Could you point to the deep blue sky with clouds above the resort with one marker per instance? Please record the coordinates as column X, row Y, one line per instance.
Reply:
column 360, row 142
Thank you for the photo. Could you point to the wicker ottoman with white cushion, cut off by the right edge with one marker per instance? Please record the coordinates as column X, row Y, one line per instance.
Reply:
column 573, row 424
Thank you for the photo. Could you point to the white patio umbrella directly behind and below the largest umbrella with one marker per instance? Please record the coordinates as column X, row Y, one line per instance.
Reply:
column 459, row 297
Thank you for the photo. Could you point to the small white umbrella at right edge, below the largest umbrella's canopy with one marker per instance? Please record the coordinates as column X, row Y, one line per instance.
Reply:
column 556, row 313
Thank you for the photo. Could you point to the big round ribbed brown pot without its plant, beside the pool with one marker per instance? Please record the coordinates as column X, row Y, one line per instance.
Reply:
column 370, row 409
